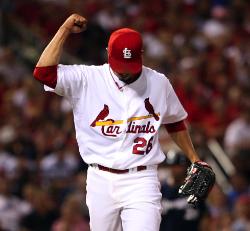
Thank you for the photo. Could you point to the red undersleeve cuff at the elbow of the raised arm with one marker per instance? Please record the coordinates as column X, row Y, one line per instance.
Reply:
column 46, row 75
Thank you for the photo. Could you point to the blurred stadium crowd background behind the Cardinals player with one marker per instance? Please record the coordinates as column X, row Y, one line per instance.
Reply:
column 202, row 46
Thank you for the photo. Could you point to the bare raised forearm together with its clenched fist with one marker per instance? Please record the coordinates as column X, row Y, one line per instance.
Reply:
column 52, row 53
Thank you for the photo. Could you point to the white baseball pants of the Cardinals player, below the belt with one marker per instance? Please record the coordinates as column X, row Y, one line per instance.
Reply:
column 124, row 202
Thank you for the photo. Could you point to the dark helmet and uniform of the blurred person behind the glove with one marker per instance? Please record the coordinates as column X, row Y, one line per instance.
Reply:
column 177, row 214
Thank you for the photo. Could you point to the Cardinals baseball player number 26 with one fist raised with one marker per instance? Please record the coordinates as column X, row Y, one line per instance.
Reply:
column 118, row 108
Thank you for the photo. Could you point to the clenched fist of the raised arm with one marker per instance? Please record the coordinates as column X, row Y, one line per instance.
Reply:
column 75, row 23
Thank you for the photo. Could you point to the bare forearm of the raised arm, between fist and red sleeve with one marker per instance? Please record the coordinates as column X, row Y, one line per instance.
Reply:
column 52, row 53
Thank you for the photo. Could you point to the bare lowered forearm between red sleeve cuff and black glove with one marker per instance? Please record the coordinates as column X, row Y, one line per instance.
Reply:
column 183, row 140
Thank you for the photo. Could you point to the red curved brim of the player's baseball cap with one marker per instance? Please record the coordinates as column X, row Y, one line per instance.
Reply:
column 130, row 66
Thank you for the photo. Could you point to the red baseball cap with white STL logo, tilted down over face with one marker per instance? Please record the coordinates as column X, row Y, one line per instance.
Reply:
column 125, row 51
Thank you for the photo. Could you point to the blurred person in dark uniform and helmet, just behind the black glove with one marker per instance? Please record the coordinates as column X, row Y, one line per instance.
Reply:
column 177, row 214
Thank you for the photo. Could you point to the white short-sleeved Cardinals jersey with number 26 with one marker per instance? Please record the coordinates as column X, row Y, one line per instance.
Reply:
column 116, row 123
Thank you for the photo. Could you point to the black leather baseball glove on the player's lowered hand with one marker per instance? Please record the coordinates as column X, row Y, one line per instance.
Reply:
column 199, row 181
